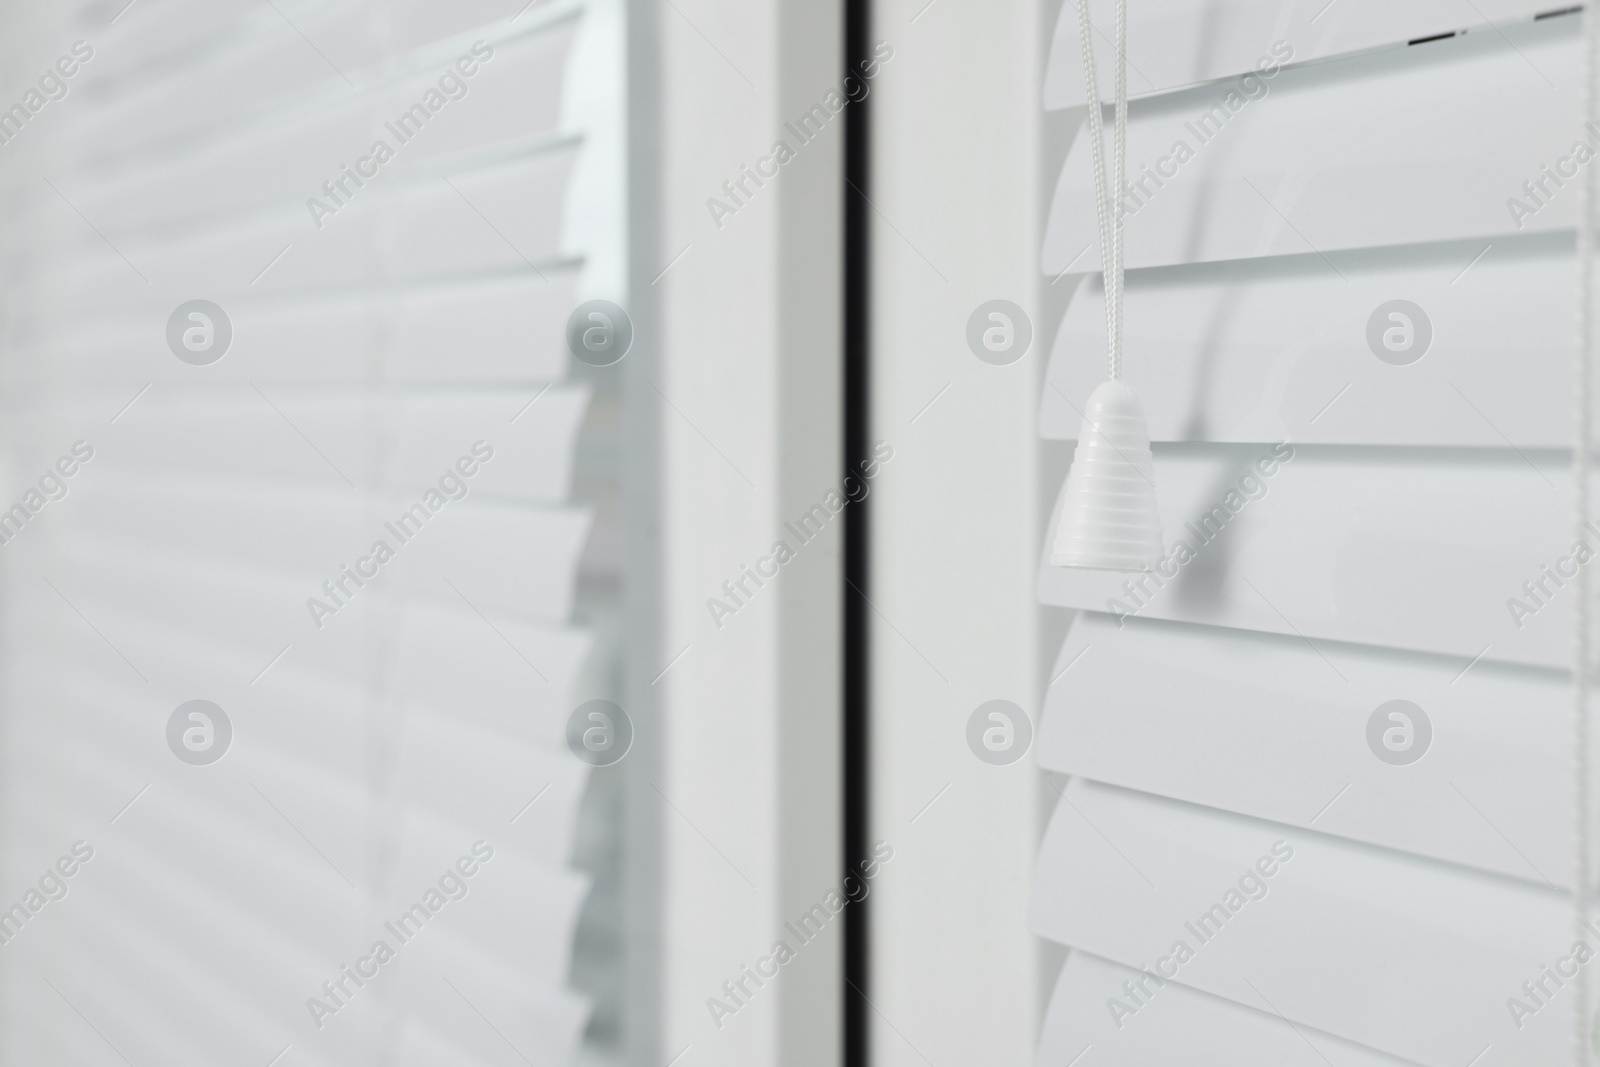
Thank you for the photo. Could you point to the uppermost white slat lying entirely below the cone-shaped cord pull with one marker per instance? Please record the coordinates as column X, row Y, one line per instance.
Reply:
column 1276, row 729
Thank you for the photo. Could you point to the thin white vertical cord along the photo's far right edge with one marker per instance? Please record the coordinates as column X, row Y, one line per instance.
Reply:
column 1582, row 446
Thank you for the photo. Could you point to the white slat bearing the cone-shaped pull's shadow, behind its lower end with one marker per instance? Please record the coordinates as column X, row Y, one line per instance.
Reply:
column 1420, row 551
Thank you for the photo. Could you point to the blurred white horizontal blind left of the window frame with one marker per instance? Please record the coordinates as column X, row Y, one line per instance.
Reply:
column 394, row 377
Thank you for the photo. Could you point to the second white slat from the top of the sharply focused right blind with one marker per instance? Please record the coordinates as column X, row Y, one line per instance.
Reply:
column 1398, row 148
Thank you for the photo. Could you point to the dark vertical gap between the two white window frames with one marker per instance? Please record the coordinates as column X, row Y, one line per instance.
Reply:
column 857, row 446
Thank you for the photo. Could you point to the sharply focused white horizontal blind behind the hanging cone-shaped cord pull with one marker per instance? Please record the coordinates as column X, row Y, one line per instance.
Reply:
column 1366, row 519
